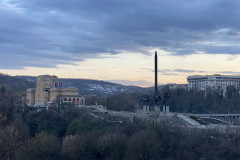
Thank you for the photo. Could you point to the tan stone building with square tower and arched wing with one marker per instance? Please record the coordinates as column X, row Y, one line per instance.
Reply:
column 49, row 91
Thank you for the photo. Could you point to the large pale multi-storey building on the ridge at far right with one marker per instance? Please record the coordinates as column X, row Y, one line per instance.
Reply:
column 215, row 81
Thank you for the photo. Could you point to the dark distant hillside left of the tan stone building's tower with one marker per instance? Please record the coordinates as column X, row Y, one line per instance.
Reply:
column 15, row 83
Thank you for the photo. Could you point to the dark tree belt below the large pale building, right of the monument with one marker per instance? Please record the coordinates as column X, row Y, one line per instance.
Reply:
column 197, row 101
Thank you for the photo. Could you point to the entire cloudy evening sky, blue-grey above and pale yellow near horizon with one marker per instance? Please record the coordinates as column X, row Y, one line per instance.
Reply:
column 115, row 40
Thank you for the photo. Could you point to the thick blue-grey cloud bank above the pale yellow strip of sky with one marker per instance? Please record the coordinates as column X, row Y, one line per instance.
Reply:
column 85, row 28
